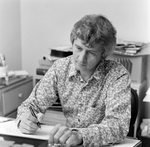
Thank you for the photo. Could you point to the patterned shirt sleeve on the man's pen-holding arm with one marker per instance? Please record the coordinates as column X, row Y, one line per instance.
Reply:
column 43, row 95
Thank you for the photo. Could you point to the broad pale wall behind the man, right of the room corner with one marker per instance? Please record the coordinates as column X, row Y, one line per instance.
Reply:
column 48, row 23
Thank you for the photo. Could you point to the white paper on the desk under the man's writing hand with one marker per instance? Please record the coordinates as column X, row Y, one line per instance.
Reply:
column 10, row 128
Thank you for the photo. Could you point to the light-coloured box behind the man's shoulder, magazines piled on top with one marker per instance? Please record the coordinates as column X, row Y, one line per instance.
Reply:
column 136, row 65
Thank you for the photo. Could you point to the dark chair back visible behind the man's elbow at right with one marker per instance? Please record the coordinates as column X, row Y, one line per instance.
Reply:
column 134, row 111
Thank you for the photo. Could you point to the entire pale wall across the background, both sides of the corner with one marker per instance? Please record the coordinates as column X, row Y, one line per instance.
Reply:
column 30, row 27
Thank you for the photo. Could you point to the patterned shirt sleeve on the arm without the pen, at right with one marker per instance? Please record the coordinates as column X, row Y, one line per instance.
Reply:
column 115, row 125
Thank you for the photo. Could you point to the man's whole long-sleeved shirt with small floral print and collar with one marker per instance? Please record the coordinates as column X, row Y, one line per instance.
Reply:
column 100, row 108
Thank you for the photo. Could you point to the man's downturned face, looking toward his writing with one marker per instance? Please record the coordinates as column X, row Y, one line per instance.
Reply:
column 86, row 59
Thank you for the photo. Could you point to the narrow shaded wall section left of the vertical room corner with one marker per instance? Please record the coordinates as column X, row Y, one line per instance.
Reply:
column 10, row 33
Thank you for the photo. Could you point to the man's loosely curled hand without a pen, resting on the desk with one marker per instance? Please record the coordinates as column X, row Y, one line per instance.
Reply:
column 63, row 135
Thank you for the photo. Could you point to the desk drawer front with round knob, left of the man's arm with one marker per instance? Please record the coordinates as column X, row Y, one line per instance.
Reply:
column 13, row 97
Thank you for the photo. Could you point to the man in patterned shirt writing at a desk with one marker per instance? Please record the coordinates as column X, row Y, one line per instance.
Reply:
column 94, row 92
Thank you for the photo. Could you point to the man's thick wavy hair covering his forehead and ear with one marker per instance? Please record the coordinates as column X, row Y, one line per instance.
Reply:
column 95, row 29
